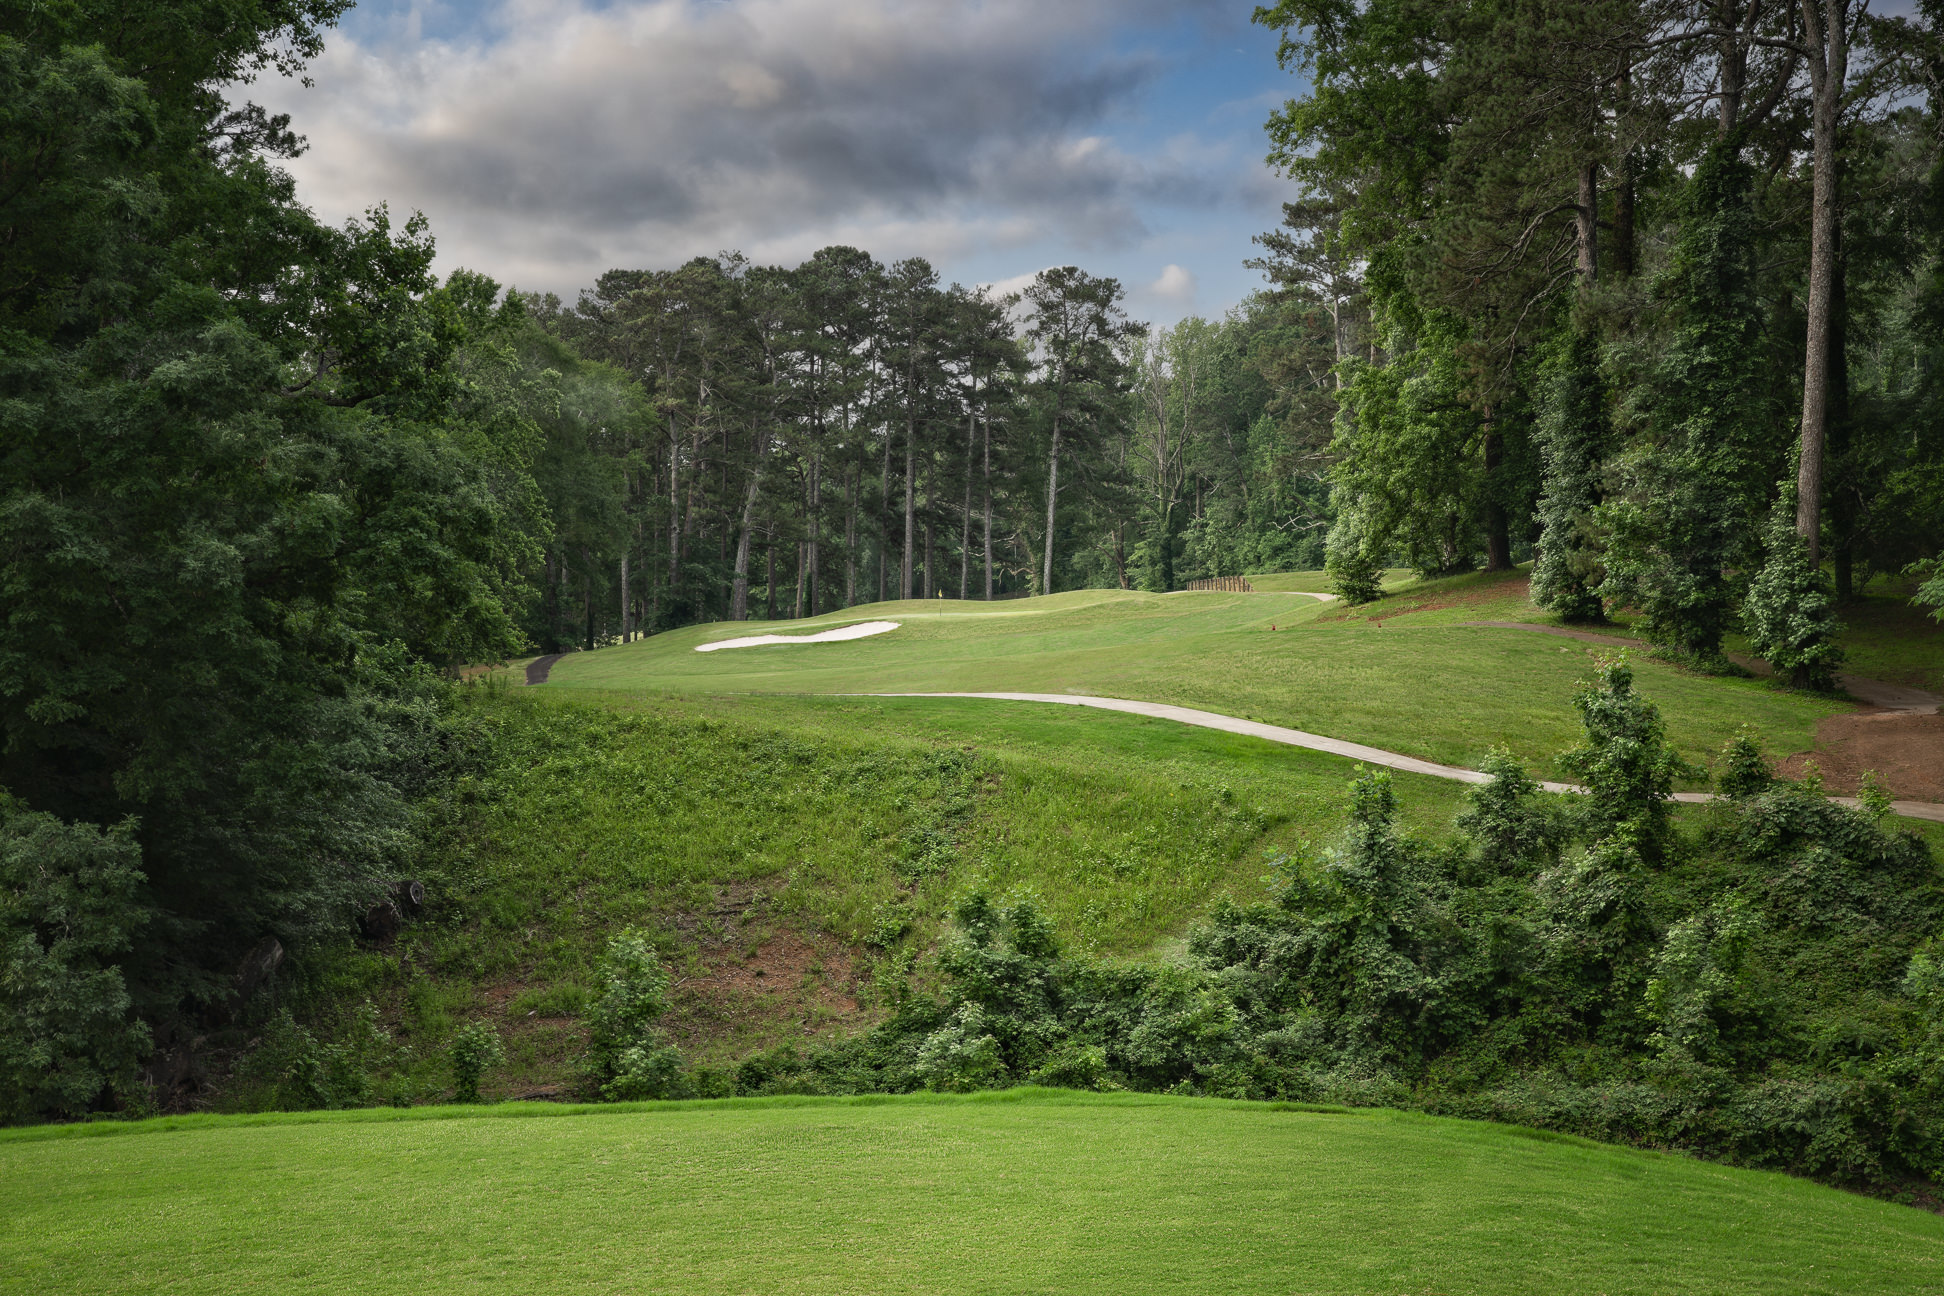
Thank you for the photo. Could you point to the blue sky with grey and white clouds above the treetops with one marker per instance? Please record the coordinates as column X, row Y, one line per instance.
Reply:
column 557, row 139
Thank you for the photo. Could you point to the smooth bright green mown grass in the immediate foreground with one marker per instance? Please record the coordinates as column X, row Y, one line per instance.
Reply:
column 1020, row 1192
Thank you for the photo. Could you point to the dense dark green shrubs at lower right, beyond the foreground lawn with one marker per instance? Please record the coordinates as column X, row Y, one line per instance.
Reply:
column 1758, row 990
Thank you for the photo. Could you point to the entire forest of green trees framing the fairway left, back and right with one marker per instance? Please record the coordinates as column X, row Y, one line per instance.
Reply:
column 1646, row 294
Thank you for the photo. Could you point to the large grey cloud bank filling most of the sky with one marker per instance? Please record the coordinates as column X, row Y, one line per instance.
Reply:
column 646, row 133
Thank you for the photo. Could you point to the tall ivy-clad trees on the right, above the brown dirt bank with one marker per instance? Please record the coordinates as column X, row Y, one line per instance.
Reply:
column 1644, row 290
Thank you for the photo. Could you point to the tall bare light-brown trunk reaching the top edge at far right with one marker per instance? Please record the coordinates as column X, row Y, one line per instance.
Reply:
column 1828, row 34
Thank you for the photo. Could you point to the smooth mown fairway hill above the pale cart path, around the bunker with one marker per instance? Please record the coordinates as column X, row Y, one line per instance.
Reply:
column 1436, row 691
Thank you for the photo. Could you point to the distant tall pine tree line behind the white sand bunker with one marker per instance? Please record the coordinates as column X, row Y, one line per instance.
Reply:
column 798, row 440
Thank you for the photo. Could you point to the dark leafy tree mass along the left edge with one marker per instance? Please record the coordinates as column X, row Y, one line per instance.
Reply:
column 260, row 485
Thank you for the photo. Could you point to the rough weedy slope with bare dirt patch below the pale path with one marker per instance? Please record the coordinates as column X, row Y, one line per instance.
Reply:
column 784, row 835
